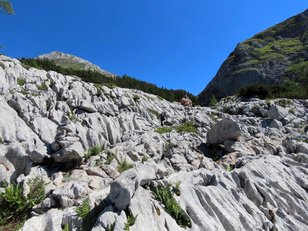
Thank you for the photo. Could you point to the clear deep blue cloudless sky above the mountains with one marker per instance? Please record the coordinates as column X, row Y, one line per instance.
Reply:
column 172, row 43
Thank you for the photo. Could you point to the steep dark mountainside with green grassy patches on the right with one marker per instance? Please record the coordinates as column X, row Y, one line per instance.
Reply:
column 269, row 57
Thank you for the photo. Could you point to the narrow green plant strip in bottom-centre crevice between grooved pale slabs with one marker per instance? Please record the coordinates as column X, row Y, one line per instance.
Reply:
column 164, row 195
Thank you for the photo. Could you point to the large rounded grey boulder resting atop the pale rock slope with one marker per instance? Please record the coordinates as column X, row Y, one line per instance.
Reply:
column 226, row 129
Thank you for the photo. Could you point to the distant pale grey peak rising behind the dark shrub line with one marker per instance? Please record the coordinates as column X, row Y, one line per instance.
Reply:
column 73, row 62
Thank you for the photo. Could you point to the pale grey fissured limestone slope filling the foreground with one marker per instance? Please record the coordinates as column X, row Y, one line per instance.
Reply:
column 243, row 168
